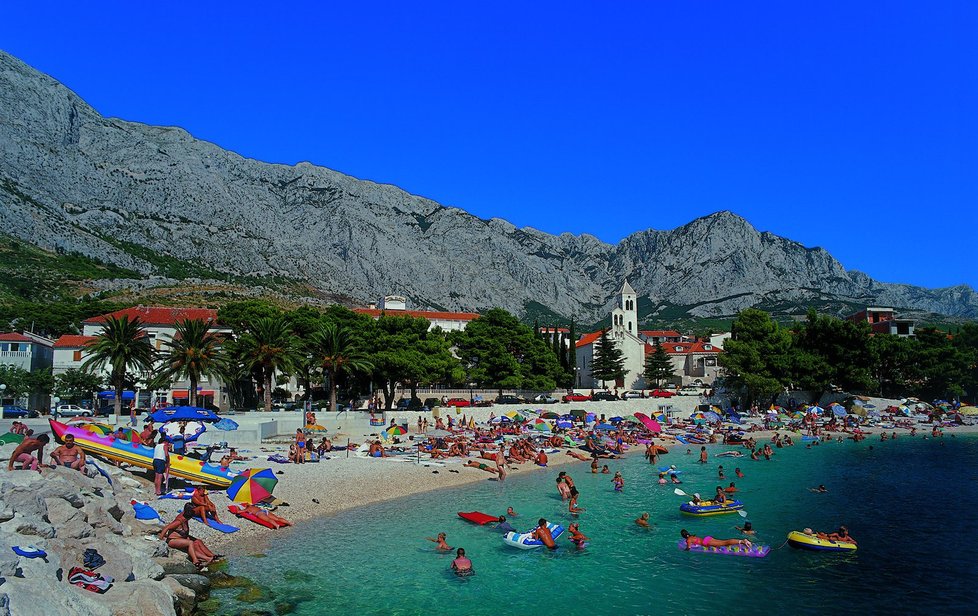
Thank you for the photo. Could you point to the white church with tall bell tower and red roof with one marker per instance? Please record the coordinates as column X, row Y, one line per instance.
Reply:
column 625, row 334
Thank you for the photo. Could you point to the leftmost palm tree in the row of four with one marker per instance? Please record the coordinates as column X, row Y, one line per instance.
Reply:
column 122, row 344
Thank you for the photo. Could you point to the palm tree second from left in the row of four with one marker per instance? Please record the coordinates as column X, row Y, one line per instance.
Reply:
column 194, row 352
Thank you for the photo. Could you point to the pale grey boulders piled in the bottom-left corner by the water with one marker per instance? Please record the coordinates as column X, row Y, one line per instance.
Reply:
column 64, row 513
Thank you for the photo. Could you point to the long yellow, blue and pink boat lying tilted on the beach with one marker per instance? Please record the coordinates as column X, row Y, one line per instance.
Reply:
column 124, row 450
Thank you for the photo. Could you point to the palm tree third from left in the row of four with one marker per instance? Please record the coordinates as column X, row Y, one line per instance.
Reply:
column 268, row 346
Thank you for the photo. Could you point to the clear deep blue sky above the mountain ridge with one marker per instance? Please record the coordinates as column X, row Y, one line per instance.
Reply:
column 850, row 126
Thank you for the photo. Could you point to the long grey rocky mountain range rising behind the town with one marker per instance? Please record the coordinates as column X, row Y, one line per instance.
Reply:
column 159, row 202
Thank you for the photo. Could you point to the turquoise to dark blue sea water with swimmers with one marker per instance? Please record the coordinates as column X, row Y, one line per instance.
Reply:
column 909, row 503
